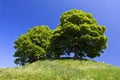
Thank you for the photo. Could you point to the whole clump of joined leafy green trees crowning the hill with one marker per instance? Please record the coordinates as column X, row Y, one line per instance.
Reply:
column 78, row 32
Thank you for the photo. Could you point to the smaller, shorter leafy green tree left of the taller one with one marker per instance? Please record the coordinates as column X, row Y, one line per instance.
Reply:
column 32, row 45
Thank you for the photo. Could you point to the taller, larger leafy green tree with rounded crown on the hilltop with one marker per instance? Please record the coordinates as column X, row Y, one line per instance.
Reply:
column 78, row 32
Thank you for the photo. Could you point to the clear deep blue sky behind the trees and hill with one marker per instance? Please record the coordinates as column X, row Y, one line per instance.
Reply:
column 17, row 16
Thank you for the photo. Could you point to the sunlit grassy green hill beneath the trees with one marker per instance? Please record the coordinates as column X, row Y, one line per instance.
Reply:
column 62, row 70
